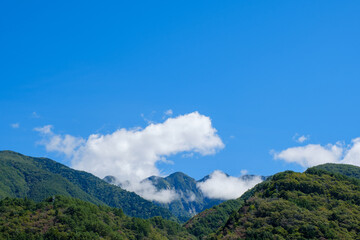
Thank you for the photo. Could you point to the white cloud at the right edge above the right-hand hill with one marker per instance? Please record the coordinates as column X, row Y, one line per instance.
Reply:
column 315, row 154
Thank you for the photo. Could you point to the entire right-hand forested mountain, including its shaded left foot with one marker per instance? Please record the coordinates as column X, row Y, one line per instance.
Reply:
column 226, row 221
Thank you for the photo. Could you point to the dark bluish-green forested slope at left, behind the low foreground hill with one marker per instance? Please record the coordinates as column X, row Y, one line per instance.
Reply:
column 38, row 178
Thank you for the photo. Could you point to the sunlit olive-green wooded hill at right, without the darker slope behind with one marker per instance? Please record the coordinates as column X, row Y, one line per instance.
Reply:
column 312, row 205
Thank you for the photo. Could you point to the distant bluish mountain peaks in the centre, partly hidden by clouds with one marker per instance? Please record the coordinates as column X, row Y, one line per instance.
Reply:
column 191, row 199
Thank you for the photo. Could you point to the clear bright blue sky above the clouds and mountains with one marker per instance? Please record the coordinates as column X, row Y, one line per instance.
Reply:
column 263, row 71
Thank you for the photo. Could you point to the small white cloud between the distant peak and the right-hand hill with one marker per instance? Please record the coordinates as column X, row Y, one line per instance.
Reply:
column 222, row 186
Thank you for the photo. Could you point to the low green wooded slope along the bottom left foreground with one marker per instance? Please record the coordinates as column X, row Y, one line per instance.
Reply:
column 62, row 217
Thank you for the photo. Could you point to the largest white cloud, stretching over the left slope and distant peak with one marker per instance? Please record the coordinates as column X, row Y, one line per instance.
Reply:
column 131, row 154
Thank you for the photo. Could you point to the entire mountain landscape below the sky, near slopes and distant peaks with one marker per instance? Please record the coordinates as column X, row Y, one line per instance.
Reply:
column 43, row 199
